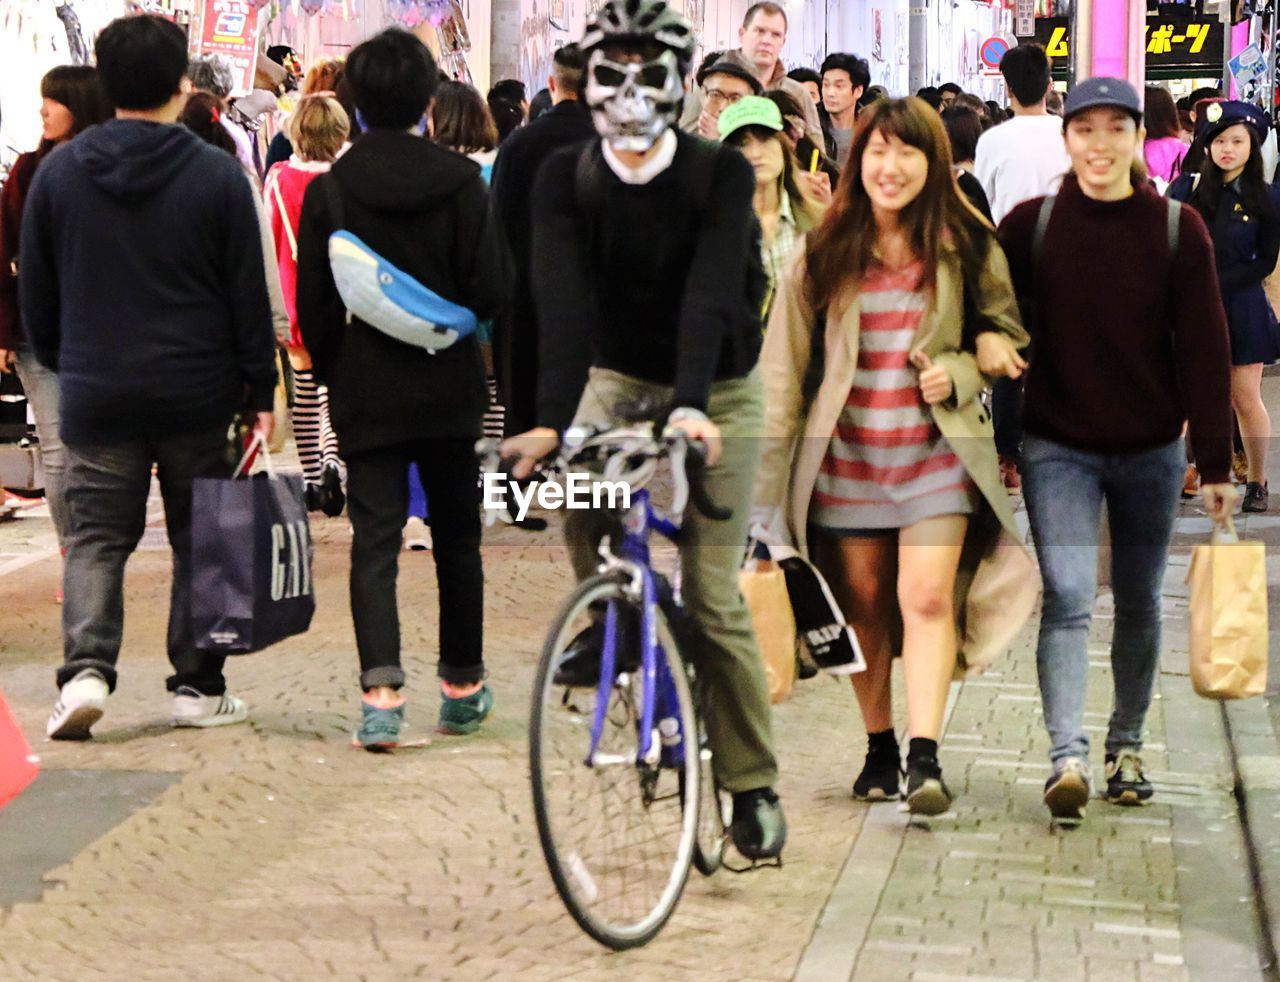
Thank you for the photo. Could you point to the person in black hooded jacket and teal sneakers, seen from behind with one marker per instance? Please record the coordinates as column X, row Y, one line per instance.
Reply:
column 426, row 211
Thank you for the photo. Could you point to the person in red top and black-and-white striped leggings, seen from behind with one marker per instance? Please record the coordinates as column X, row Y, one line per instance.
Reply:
column 319, row 131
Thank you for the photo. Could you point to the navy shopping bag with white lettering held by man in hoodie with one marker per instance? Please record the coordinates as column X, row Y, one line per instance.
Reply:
column 252, row 560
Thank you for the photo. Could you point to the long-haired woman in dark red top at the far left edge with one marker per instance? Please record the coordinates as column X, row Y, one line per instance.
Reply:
column 74, row 101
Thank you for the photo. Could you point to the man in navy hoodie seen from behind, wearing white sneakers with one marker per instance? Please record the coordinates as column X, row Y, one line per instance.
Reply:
column 143, row 285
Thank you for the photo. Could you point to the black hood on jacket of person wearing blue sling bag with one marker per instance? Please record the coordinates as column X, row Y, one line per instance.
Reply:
column 390, row 171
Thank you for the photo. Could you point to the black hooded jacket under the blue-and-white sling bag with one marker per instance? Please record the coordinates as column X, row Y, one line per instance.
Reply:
column 426, row 211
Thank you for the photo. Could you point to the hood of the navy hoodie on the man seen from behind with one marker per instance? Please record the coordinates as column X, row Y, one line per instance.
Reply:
column 132, row 158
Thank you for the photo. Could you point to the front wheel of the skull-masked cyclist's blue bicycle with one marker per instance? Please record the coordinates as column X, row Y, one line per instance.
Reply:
column 619, row 838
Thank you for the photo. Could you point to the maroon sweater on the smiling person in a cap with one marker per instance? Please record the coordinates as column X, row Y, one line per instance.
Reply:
column 1128, row 344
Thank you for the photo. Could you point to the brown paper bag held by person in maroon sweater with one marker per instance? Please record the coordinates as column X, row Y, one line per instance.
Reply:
column 1228, row 616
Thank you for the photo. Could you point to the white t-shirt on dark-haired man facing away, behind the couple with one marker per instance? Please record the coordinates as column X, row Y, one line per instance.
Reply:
column 1021, row 159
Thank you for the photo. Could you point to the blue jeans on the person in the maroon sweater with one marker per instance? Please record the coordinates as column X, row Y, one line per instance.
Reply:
column 1064, row 491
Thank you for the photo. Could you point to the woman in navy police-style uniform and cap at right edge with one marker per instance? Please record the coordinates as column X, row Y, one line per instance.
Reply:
column 1244, row 214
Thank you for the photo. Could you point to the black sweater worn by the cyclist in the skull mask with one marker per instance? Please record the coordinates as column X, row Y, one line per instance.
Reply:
column 647, row 287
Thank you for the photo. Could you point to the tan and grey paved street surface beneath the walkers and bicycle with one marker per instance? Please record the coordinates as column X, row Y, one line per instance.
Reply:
column 282, row 853
